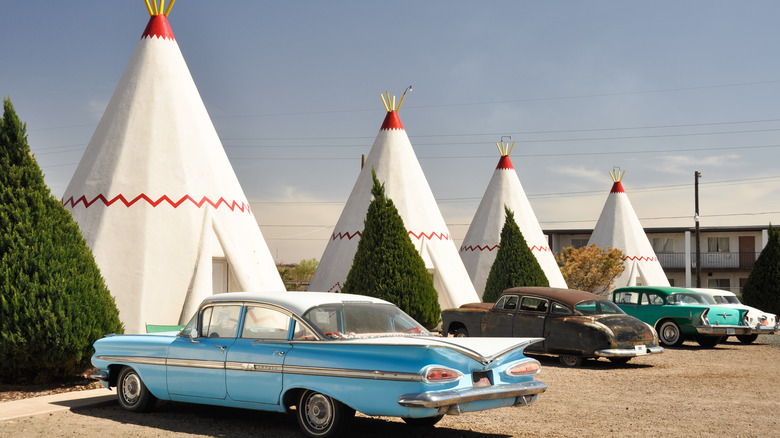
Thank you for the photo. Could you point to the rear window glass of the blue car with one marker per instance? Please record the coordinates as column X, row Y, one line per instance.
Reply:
column 352, row 320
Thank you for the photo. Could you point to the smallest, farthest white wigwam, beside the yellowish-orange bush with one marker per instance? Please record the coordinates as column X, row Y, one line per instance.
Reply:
column 619, row 227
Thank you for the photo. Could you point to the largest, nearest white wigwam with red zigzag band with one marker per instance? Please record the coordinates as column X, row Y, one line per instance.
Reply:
column 156, row 198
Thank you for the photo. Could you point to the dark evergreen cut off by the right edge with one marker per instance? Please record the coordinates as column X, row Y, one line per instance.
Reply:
column 762, row 288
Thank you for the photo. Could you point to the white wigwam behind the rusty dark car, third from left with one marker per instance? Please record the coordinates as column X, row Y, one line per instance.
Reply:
column 480, row 246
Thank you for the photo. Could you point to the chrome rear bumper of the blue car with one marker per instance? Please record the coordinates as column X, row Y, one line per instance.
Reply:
column 447, row 401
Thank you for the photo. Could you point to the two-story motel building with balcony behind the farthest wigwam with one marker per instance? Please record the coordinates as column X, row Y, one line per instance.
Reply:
column 727, row 253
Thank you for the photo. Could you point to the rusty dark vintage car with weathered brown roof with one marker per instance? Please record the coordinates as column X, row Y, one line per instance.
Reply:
column 574, row 324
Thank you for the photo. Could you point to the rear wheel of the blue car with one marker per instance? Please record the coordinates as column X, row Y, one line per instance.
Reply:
column 322, row 416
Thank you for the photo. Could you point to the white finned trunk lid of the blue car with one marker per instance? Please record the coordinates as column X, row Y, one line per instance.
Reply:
column 483, row 350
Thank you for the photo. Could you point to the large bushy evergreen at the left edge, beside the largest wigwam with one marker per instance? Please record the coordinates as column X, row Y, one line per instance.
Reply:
column 53, row 301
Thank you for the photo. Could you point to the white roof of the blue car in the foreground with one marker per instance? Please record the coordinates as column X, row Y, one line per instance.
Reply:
column 298, row 302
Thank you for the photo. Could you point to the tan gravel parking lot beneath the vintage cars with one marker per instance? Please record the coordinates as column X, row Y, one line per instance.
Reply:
column 732, row 390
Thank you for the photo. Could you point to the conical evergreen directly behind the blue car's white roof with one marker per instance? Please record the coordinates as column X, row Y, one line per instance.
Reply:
column 388, row 266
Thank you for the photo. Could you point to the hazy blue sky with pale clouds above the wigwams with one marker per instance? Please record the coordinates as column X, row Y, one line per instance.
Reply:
column 658, row 89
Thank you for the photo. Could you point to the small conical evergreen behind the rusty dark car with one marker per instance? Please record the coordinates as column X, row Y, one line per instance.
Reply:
column 515, row 265
